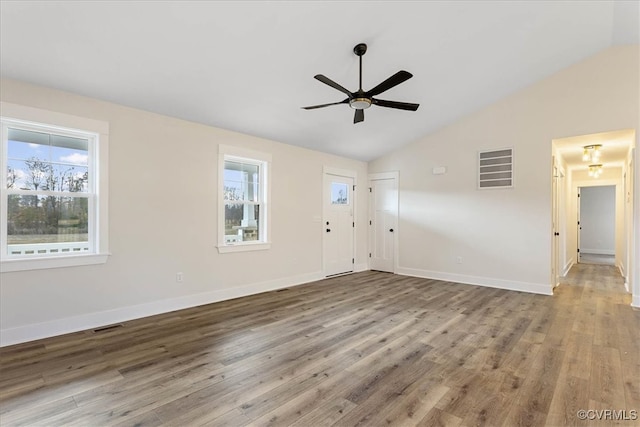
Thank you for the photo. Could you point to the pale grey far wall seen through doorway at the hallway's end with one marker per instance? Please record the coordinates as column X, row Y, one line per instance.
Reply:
column 598, row 220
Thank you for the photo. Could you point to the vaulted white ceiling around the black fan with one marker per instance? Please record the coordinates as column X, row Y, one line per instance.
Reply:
column 249, row 66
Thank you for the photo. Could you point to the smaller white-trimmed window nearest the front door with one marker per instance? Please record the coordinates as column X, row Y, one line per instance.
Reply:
column 243, row 200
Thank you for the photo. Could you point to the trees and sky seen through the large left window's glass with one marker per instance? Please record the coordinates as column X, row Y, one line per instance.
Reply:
column 47, row 182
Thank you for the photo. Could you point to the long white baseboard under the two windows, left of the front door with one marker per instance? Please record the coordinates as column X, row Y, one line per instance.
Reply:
column 67, row 325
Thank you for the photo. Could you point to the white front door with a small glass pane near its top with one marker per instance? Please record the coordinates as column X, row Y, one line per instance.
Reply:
column 338, row 225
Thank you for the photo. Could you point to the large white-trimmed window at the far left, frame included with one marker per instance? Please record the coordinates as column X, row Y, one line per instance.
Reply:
column 50, row 201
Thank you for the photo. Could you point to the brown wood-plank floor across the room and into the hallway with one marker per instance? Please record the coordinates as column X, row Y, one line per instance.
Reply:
column 365, row 349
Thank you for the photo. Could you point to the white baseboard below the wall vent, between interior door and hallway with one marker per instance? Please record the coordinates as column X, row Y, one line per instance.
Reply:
column 535, row 288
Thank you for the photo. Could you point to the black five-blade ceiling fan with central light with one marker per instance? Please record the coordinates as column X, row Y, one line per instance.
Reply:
column 361, row 100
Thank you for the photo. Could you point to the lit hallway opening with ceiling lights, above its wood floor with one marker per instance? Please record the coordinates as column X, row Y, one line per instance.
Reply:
column 596, row 231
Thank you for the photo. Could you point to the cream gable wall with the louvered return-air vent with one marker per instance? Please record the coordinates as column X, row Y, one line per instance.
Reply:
column 504, row 236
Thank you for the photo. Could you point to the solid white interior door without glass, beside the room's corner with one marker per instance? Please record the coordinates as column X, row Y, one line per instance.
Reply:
column 383, row 223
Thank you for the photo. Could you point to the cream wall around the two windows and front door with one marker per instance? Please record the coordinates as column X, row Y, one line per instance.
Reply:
column 163, row 176
